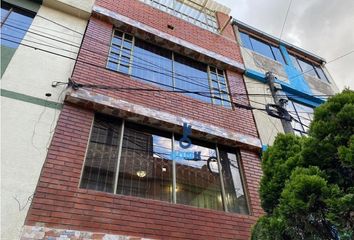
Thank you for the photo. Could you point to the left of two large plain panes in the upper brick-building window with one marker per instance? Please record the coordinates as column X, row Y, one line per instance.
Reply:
column 152, row 63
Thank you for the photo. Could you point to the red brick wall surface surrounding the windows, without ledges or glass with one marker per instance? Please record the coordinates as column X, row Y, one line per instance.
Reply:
column 60, row 203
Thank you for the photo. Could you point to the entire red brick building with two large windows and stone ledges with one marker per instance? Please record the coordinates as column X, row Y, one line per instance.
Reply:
column 121, row 162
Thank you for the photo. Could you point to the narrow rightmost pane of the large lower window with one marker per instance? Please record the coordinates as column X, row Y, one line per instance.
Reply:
column 235, row 195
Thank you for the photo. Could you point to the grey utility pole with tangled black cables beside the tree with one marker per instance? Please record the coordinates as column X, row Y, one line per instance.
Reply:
column 280, row 103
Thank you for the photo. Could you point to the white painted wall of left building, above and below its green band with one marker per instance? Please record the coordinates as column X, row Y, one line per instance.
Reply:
column 26, row 128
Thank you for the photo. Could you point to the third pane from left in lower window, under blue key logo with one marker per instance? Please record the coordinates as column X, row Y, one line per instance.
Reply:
column 196, row 184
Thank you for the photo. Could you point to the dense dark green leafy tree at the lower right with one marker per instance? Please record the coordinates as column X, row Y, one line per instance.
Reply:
column 307, row 188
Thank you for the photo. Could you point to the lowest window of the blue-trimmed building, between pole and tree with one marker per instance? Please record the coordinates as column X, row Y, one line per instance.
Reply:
column 303, row 116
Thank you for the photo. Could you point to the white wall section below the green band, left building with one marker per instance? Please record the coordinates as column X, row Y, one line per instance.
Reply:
column 26, row 131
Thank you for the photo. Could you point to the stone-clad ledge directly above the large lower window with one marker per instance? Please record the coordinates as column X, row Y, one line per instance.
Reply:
column 160, row 119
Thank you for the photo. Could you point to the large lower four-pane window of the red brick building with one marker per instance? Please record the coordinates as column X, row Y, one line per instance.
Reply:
column 135, row 160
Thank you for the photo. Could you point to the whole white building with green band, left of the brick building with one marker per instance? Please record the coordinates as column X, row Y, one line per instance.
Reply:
column 39, row 45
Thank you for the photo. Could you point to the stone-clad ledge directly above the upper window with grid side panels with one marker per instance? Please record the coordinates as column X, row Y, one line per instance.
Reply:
column 187, row 47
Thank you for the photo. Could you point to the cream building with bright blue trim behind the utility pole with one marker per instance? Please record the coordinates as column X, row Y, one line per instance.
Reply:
column 301, row 78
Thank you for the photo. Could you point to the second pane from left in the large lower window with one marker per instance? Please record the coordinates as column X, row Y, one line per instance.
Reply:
column 145, row 168
